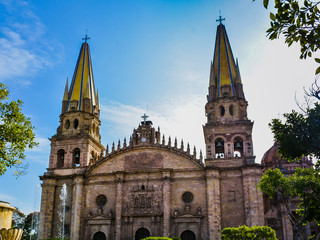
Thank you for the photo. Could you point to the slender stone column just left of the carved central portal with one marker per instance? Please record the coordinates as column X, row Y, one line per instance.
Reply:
column 119, row 182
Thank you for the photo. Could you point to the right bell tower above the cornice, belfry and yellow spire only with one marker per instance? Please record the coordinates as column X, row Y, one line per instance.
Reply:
column 228, row 130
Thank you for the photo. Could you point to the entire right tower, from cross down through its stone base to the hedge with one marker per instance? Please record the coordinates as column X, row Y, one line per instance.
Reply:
column 232, row 172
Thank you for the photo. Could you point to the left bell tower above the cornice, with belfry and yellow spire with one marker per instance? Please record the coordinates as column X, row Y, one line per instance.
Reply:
column 77, row 141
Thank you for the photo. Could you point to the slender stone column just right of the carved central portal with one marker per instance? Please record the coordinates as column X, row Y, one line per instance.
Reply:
column 166, row 193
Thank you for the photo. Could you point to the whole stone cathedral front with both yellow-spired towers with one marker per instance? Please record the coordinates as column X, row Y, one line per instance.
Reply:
column 147, row 186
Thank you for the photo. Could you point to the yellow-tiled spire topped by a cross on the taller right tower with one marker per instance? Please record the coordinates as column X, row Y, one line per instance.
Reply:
column 224, row 73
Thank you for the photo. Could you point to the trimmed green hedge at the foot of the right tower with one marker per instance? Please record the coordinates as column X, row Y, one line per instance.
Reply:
column 248, row 233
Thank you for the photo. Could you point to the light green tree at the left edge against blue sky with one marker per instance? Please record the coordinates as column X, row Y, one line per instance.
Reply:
column 16, row 133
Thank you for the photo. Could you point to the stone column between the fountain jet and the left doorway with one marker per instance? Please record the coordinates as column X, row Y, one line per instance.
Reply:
column 76, row 212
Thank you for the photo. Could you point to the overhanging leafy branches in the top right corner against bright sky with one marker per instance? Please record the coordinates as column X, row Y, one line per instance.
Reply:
column 297, row 21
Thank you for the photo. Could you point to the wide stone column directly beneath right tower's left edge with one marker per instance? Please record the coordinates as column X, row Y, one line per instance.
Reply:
column 213, row 203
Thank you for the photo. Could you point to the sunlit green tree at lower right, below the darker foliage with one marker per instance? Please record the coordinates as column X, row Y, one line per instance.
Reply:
column 304, row 185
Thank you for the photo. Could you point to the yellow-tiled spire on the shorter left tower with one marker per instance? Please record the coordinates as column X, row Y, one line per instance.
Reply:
column 82, row 85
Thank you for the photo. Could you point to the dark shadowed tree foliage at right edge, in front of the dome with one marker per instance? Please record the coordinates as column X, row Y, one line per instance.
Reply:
column 299, row 134
